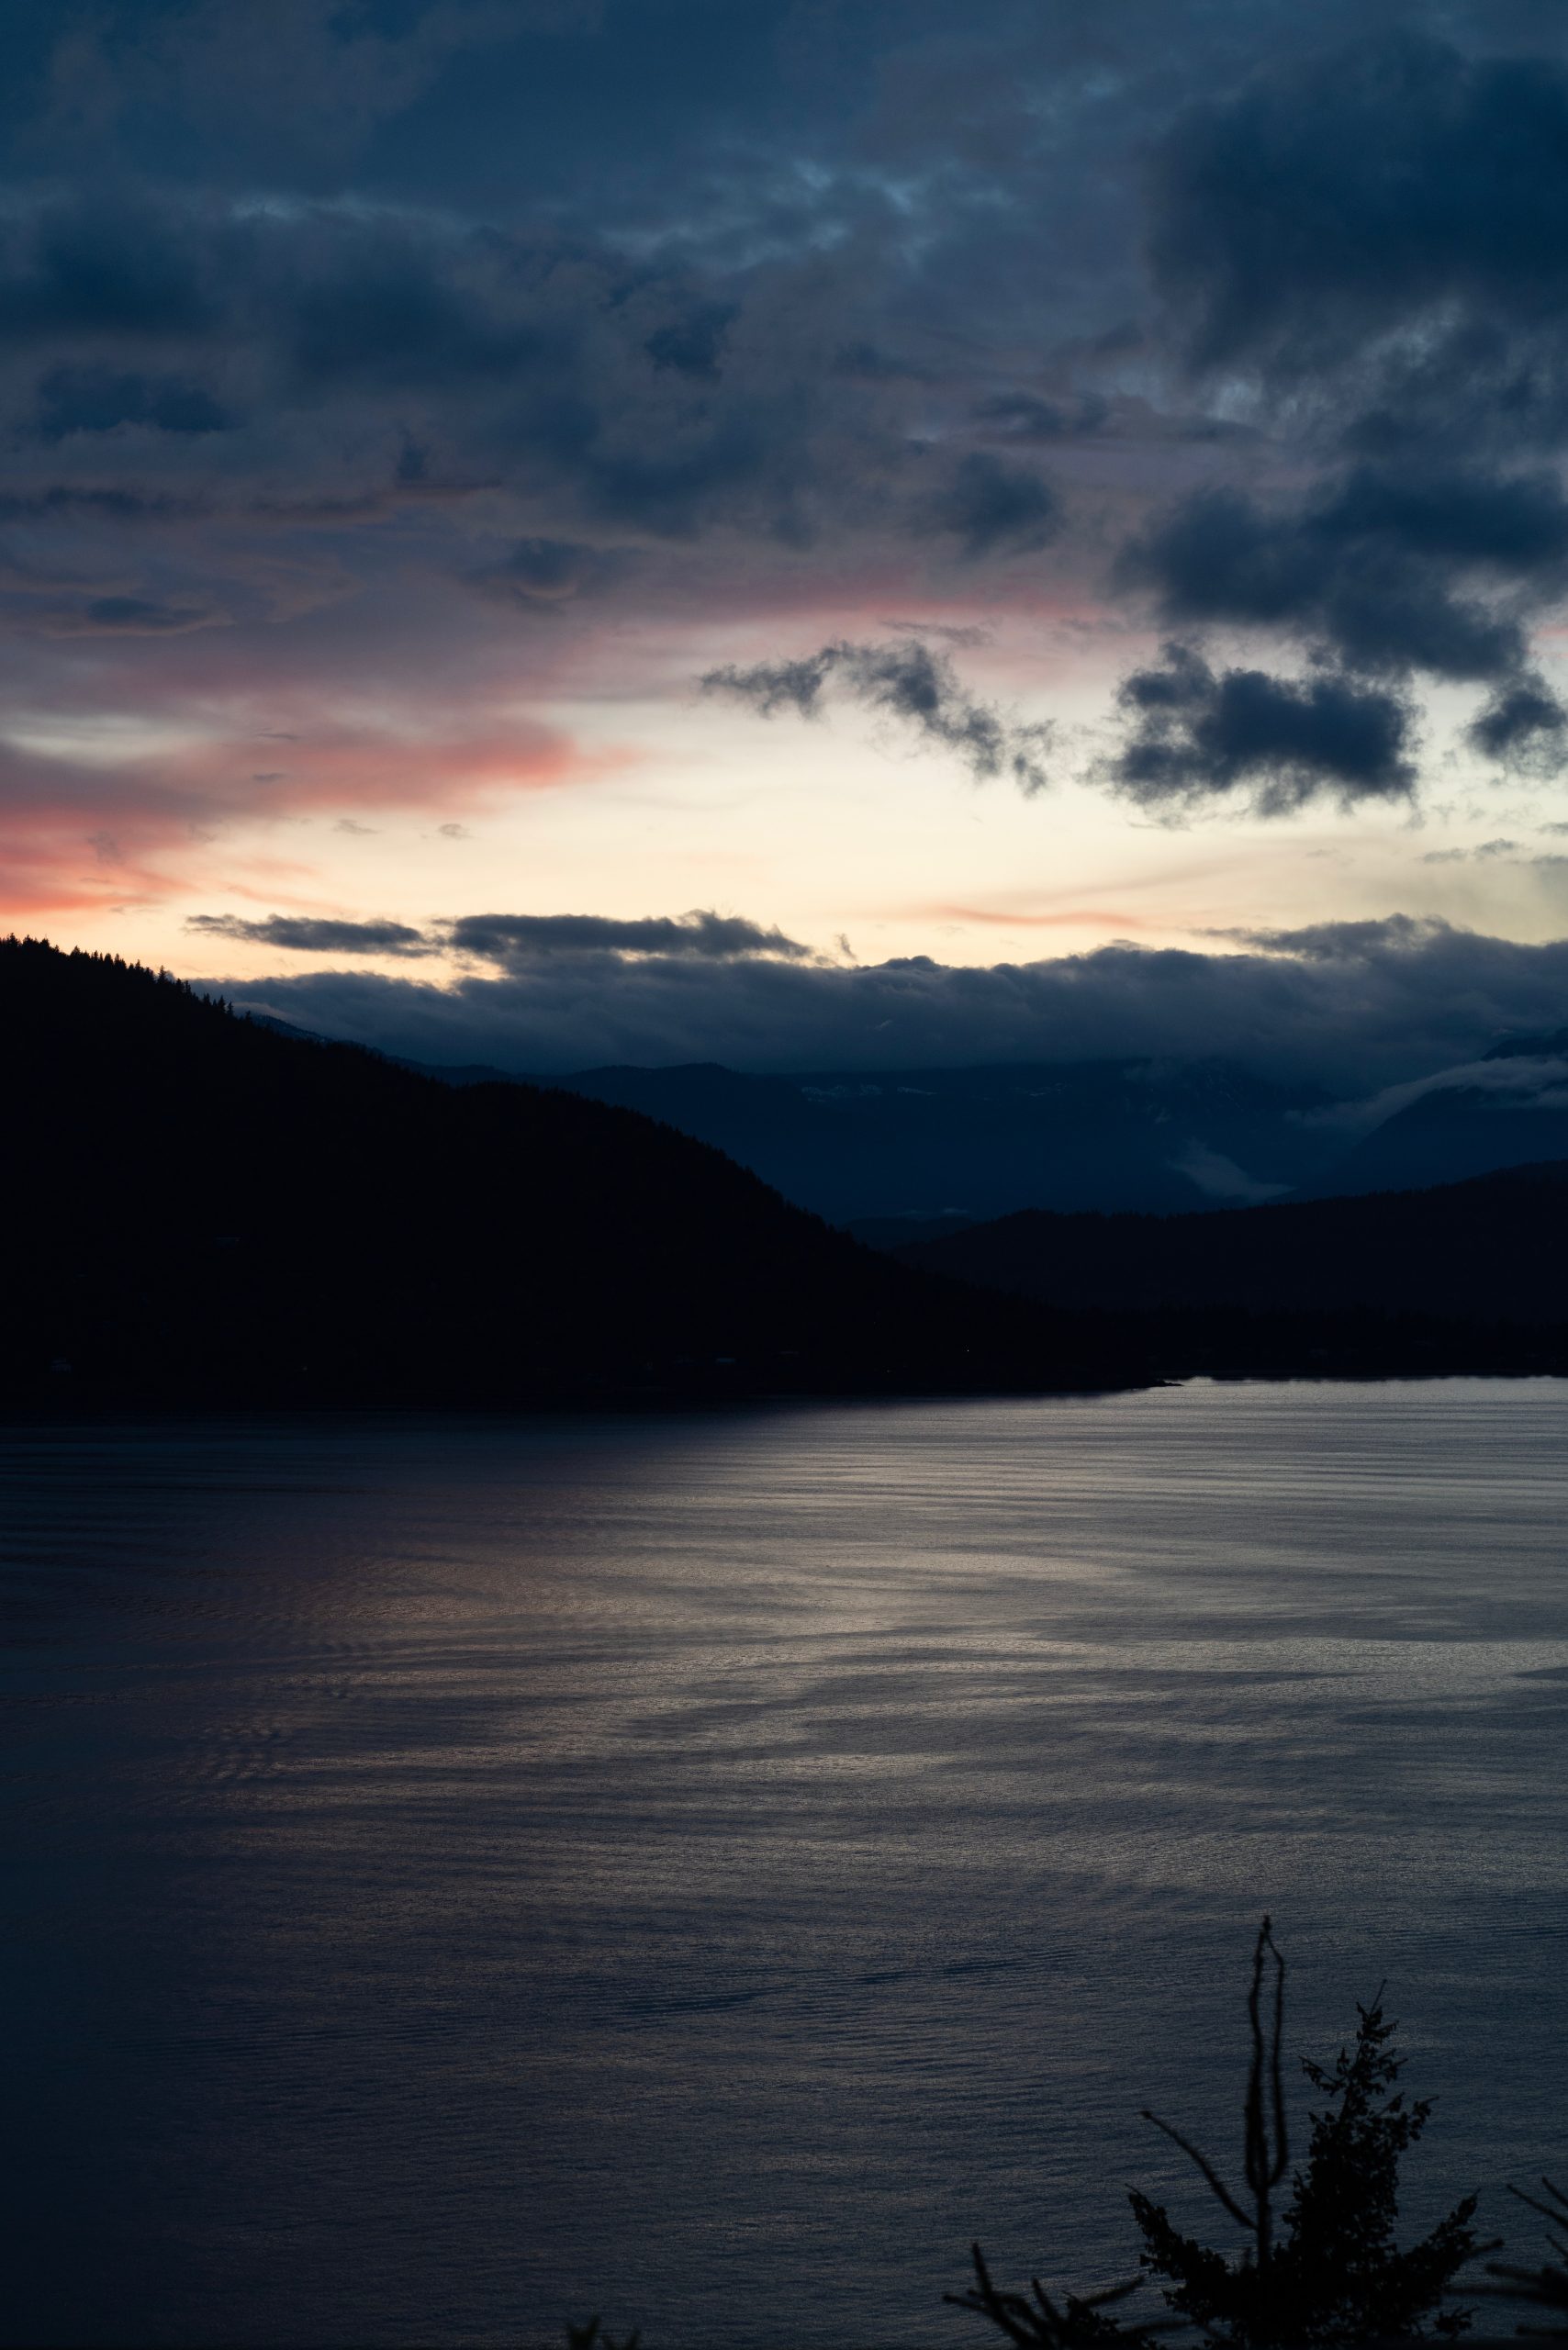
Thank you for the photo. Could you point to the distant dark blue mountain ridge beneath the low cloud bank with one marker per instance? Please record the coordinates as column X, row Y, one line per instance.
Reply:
column 871, row 1148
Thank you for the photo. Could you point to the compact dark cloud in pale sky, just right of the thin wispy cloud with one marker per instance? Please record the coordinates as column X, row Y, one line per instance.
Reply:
column 1198, row 734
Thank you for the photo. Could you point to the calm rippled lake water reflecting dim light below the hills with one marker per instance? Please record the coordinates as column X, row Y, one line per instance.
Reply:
column 706, row 1869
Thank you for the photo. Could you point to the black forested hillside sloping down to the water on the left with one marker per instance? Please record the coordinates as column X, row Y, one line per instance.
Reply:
column 208, row 1209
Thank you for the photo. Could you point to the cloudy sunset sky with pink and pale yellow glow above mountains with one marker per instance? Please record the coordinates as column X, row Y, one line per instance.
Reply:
column 796, row 532
